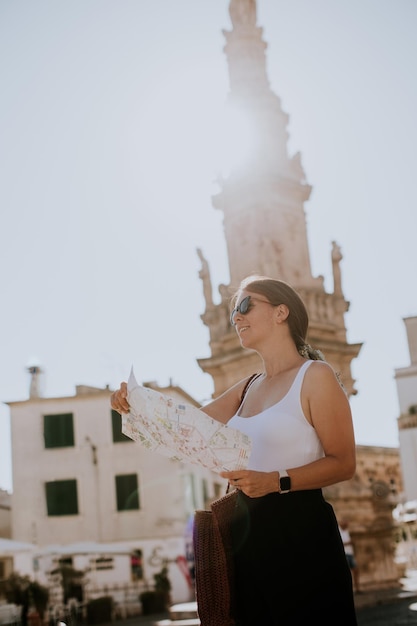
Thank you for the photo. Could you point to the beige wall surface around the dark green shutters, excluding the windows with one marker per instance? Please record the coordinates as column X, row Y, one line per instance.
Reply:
column 164, row 507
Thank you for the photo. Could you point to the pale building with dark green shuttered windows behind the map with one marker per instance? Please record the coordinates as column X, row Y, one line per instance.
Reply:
column 78, row 480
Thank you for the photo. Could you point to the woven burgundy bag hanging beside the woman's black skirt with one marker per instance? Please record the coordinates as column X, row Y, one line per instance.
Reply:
column 213, row 559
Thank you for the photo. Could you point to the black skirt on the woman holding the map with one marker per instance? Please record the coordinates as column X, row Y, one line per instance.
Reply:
column 289, row 561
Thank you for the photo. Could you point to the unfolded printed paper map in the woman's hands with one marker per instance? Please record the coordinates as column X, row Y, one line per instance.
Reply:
column 182, row 432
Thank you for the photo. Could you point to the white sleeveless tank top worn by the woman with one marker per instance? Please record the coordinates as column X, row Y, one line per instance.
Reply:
column 281, row 436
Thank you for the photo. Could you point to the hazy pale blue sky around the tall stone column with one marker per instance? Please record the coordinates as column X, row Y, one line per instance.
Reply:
column 109, row 145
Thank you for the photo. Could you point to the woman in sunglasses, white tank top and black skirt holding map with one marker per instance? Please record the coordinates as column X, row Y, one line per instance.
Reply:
column 290, row 563
